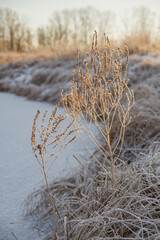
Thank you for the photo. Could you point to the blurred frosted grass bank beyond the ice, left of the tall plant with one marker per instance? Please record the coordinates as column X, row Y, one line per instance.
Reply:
column 40, row 80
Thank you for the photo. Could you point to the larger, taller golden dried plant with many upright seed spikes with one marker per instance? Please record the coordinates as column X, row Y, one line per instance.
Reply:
column 100, row 94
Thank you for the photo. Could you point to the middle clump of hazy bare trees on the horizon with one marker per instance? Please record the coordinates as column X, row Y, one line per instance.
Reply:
column 75, row 27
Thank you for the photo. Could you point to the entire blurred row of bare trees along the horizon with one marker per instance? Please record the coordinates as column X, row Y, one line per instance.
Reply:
column 74, row 27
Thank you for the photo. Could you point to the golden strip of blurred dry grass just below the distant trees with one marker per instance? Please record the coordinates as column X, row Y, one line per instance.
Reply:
column 67, row 52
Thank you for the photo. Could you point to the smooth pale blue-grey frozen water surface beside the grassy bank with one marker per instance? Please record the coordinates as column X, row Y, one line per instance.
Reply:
column 19, row 170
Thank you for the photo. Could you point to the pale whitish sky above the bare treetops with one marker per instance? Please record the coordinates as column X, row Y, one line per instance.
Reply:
column 39, row 11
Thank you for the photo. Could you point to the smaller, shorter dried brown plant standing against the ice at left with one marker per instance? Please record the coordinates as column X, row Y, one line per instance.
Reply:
column 47, row 144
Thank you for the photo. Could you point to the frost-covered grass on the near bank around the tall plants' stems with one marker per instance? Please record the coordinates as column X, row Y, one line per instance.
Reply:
column 85, row 197
